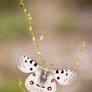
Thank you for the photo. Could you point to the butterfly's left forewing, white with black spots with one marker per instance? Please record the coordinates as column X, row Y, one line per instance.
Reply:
column 27, row 65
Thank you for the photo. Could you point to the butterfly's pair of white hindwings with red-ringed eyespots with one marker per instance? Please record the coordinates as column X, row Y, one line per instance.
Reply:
column 34, row 84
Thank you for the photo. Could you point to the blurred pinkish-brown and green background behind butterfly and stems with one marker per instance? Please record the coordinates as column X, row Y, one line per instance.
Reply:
column 64, row 25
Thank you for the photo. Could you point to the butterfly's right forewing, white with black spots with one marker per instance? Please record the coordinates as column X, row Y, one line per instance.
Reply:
column 64, row 77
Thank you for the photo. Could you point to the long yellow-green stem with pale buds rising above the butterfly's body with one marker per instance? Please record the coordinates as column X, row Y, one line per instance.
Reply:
column 29, row 18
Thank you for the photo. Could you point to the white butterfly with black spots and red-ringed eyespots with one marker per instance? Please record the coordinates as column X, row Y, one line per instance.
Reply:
column 42, row 79
